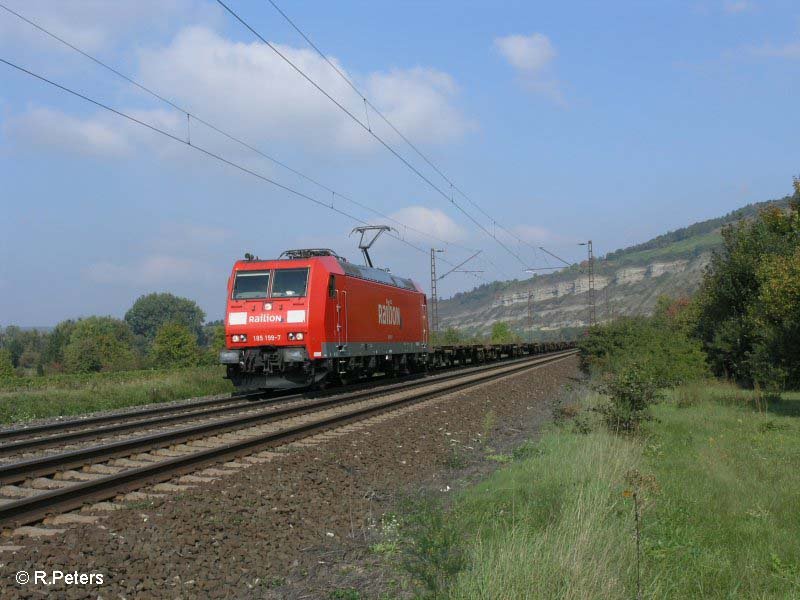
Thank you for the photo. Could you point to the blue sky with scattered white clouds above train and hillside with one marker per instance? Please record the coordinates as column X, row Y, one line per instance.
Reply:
column 555, row 123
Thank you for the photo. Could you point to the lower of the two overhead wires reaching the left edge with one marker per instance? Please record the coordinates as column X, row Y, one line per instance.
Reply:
column 196, row 147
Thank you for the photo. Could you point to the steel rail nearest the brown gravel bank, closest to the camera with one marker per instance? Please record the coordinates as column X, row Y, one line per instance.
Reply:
column 36, row 507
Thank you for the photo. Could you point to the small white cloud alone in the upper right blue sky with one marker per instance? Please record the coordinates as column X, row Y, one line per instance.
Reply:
column 532, row 56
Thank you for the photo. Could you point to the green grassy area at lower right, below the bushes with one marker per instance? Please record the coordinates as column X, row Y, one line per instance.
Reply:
column 718, row 481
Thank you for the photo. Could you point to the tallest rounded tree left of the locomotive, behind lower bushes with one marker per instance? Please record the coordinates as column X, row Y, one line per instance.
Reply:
column 152, row 311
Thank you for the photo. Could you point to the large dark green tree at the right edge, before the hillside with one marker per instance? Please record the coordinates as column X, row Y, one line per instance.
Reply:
column 747, row 306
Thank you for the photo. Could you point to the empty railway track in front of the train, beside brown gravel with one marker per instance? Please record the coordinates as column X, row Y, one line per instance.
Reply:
column 32, row 489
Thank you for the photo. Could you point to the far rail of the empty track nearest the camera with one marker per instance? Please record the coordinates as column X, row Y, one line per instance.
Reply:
column 18, row 471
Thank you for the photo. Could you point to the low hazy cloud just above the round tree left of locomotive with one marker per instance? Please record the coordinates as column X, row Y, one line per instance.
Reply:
column 152, row 270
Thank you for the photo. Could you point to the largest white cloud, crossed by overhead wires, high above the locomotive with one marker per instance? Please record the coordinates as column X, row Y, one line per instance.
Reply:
column 248, row 88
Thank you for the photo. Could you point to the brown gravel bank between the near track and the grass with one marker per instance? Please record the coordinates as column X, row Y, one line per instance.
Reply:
column 297, row 526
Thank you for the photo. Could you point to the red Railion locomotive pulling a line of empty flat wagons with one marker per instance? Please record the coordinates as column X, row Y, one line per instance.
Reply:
column 311, row 318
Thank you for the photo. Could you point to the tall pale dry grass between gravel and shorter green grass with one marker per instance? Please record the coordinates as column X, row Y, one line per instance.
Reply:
column 556, row 526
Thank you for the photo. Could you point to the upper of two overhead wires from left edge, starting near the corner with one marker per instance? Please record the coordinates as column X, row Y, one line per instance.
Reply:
column 334, row 193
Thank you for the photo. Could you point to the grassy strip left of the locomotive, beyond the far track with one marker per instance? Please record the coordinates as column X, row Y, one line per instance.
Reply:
column 26, row 398
